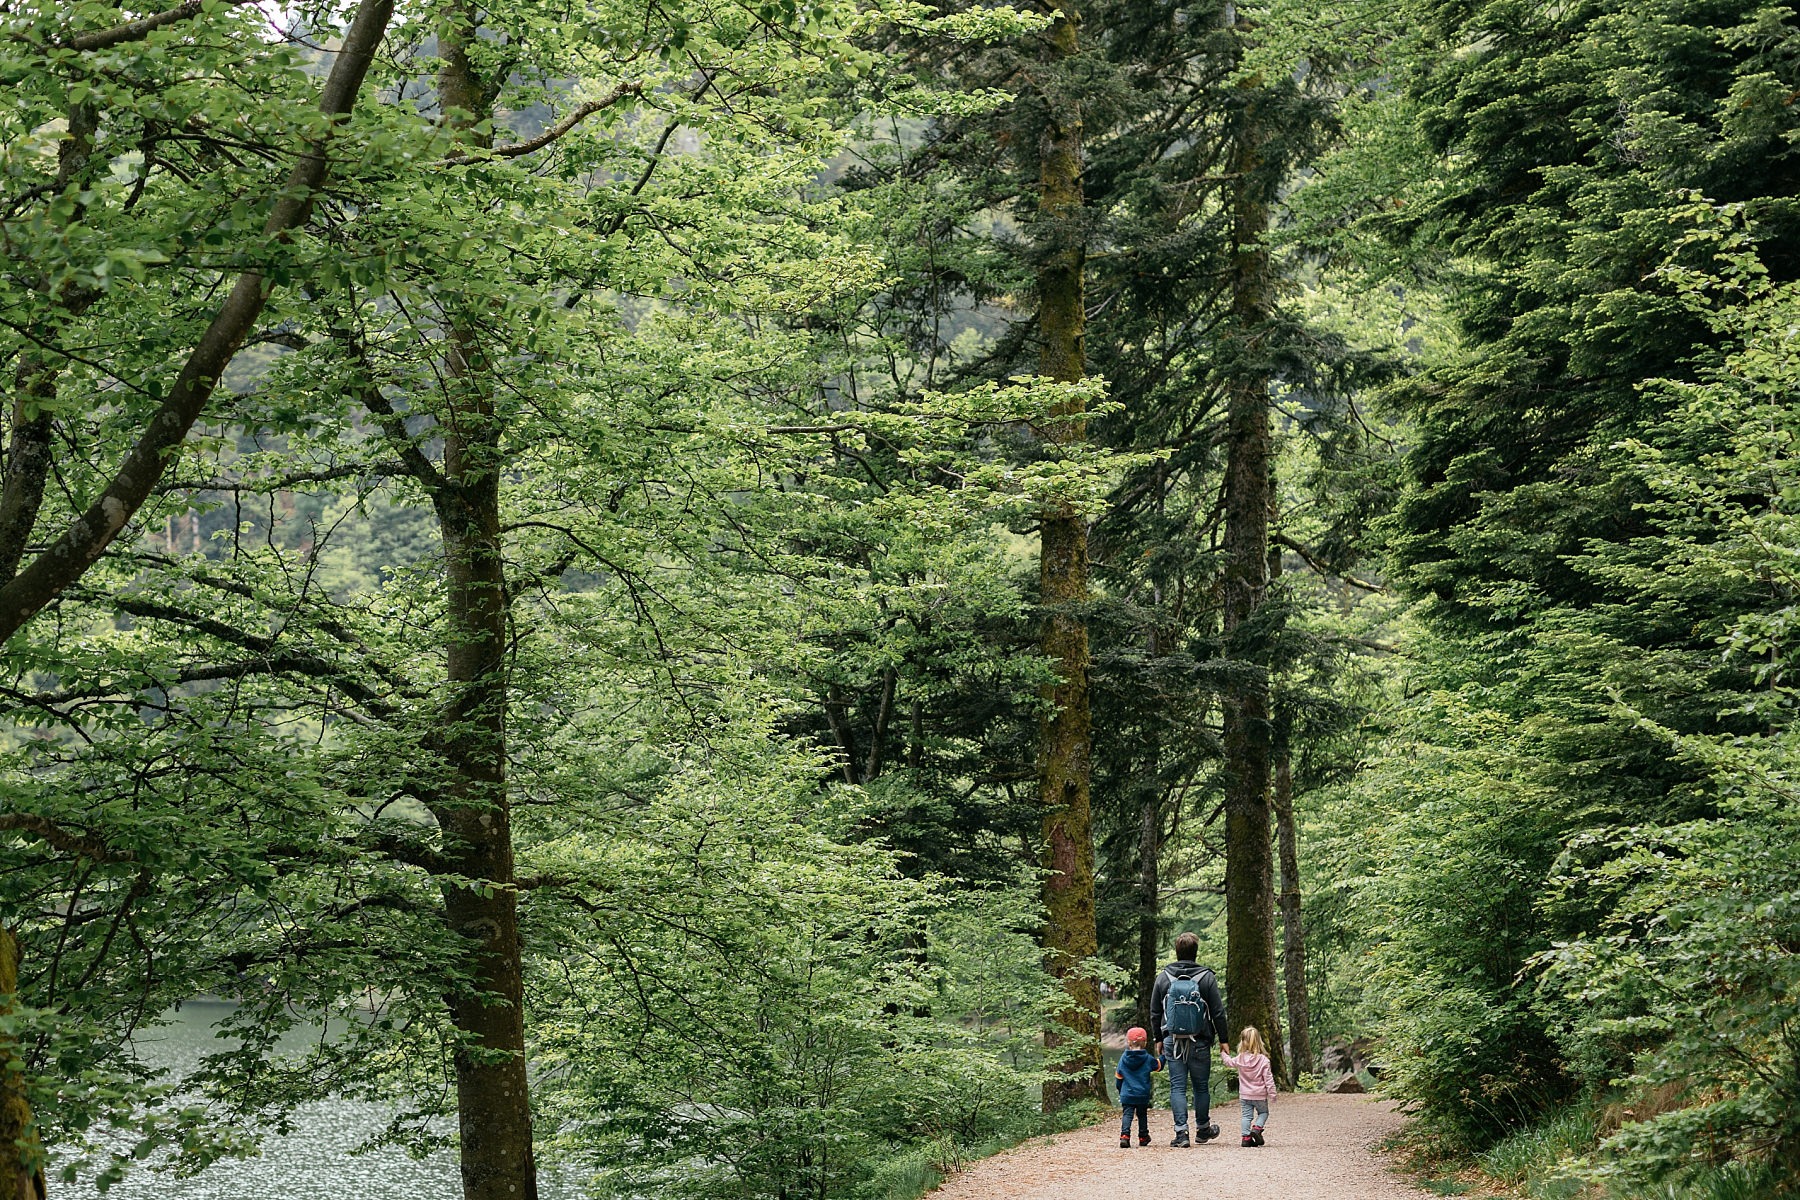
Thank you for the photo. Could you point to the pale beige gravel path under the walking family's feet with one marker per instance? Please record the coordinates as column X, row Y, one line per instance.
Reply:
column 1320, row 1149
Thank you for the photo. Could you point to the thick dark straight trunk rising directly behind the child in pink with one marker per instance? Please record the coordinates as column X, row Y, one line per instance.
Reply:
column 1250, row 859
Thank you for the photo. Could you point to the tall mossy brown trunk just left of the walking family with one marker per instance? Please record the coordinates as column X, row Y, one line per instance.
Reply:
column 1070, row 933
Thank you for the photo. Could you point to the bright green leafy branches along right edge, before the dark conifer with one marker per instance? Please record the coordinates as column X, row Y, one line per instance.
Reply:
column 1693, row 976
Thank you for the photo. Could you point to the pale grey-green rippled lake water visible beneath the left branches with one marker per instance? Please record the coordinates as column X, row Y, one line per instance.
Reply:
column 314, row 1163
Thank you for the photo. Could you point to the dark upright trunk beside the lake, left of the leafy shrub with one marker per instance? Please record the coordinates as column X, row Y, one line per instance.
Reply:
column 494, row 1100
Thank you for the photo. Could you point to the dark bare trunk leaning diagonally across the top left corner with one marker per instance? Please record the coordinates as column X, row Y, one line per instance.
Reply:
column 87, row 539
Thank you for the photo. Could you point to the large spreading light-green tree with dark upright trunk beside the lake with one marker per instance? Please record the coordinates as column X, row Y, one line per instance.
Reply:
column 534, row 352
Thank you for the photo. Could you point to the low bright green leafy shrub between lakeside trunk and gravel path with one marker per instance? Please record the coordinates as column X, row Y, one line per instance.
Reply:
column 881, row 1012
